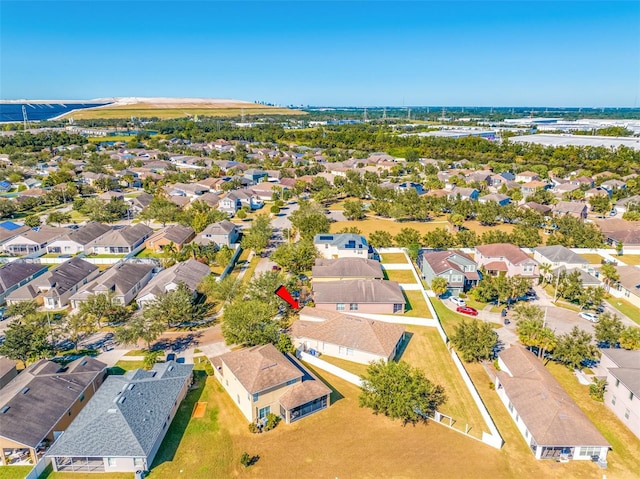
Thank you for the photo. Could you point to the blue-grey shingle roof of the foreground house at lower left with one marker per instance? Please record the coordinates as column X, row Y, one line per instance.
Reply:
column 127, row 414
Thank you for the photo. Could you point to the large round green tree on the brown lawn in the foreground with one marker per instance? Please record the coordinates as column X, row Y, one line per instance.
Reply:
column 400, row 391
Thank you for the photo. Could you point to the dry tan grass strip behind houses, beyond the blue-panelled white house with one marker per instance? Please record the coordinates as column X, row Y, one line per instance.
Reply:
column 371, row 224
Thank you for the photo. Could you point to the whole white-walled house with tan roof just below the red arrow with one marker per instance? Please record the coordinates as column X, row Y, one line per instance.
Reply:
column 346, row 337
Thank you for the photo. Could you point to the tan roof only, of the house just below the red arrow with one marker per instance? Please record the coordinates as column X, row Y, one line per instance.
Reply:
column 376, row 337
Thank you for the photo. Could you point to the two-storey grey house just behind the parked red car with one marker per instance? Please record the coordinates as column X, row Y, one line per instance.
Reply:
column 458, row 268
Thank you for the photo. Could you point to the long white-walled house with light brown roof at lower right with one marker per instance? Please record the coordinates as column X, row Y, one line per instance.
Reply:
column 551, row 423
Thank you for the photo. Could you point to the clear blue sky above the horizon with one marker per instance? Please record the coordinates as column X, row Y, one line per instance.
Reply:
column 503, row 53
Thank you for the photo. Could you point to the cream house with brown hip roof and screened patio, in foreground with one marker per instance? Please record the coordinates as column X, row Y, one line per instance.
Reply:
column 261, row 380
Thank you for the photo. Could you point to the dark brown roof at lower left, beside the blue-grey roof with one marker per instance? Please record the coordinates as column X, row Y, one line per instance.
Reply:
column 40, row 395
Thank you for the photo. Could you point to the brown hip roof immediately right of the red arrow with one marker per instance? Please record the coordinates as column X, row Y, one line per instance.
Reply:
column 358, row 291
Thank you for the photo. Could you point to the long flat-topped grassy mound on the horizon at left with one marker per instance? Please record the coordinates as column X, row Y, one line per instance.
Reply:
column 145, row 110
